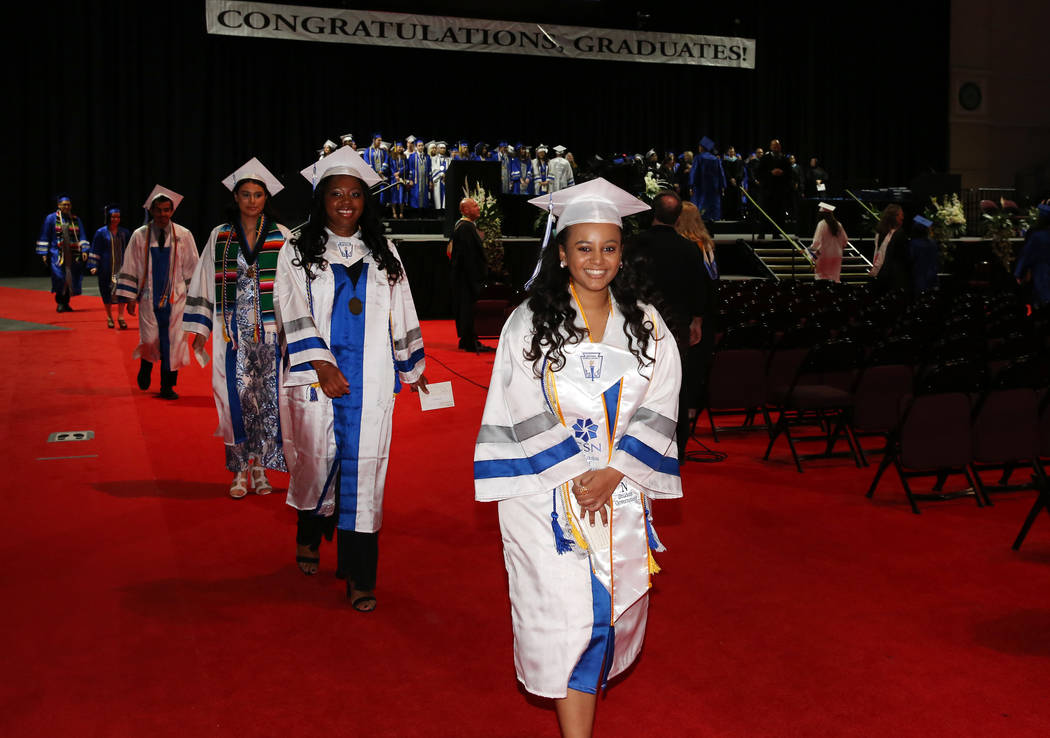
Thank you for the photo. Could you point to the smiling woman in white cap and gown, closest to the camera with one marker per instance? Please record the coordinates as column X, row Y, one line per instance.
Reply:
column 578, row 436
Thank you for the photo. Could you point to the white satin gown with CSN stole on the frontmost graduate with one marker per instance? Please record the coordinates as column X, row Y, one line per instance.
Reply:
column 539, row 435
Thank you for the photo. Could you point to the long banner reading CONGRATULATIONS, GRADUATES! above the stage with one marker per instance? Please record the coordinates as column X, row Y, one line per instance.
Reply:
column 335, row 26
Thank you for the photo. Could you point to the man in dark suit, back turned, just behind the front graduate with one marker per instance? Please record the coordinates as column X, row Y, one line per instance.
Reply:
column 675, row 265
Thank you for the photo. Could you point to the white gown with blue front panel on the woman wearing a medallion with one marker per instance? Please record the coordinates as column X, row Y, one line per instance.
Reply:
column 392, row 347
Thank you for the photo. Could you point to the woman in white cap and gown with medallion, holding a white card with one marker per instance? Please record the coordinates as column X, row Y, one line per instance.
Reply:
column 352, row 341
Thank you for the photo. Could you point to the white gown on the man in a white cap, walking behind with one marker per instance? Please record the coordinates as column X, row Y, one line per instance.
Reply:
column 136, row 284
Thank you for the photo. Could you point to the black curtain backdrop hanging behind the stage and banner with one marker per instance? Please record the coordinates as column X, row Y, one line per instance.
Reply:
column 107, row 99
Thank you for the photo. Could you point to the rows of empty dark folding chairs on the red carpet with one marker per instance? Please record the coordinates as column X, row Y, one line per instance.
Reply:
column 955, row 381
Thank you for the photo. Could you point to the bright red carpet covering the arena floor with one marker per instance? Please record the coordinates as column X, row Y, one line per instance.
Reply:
column 141, row 601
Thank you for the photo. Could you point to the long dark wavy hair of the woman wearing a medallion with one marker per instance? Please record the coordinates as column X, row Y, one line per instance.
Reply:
column 310, row 243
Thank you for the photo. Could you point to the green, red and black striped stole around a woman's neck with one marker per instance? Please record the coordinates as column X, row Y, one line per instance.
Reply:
column 264, row 271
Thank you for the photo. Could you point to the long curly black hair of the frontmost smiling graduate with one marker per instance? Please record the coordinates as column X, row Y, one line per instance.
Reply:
column 554, row 313
